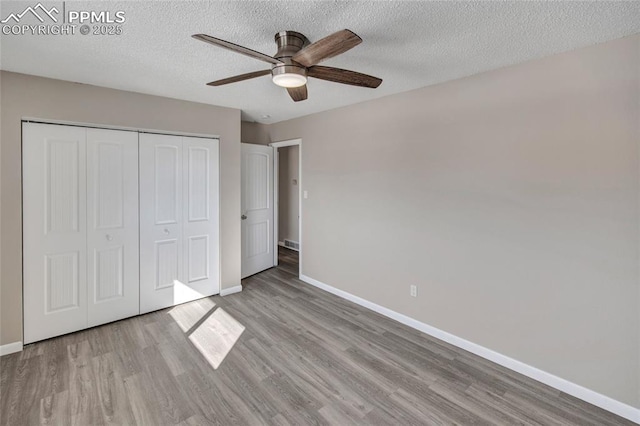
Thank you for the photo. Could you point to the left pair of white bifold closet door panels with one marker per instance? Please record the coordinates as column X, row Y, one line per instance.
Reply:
column 80, row 233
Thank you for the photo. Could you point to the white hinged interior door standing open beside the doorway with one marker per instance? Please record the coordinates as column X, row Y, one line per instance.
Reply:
column 257, row 209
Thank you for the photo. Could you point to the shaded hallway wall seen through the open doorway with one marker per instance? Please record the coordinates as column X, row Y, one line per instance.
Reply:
column 288, row 195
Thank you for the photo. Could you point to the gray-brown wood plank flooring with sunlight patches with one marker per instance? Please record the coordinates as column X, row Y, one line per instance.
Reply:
column 281, row 352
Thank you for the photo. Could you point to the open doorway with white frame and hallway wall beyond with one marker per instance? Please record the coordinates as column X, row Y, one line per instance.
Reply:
column 287, row 159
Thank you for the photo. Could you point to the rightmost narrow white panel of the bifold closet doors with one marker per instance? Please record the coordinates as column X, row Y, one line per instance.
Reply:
column 201, row 222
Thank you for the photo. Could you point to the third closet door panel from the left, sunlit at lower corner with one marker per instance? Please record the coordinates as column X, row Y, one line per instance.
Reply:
column 161, row 240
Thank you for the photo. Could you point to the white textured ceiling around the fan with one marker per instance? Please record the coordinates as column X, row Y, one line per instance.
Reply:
column 408, row 44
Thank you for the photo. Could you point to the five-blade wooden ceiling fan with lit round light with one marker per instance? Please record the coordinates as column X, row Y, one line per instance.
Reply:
column 297, row 59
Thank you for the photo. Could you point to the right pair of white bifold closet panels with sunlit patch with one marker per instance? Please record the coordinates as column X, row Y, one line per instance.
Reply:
column 179, row 220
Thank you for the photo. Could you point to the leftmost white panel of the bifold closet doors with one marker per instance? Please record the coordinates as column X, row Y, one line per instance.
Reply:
column 55, row 231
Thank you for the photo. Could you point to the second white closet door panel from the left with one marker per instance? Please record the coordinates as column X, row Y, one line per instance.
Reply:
column 112, row 225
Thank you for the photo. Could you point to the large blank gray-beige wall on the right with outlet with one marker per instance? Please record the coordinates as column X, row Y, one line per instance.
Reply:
column 510, row 199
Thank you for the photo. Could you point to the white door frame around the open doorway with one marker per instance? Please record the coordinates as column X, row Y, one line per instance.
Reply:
column 276, row 197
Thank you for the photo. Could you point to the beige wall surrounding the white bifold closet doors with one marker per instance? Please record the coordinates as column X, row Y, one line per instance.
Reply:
column 30, row 96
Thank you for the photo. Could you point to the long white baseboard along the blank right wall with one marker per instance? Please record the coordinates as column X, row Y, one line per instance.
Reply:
column 588, row 395
